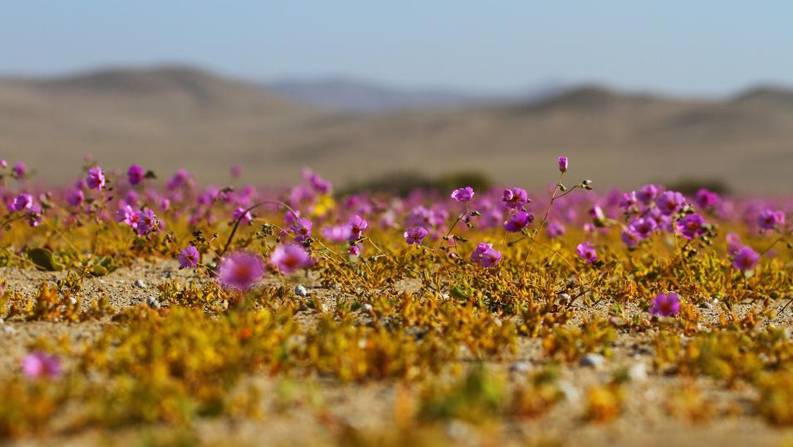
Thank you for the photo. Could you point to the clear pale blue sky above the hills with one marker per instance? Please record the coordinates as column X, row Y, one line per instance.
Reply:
column 706, row 47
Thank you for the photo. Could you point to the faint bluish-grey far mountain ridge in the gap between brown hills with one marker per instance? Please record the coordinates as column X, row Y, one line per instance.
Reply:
column 356, row 95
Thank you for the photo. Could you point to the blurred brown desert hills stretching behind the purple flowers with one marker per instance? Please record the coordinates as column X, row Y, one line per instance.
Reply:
column 171, row 117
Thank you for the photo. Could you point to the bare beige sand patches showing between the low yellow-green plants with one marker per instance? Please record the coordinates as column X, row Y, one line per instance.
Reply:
column 645, row 420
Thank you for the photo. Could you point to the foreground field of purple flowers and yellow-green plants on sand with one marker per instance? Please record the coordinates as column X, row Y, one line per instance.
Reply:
column 163, row 311
